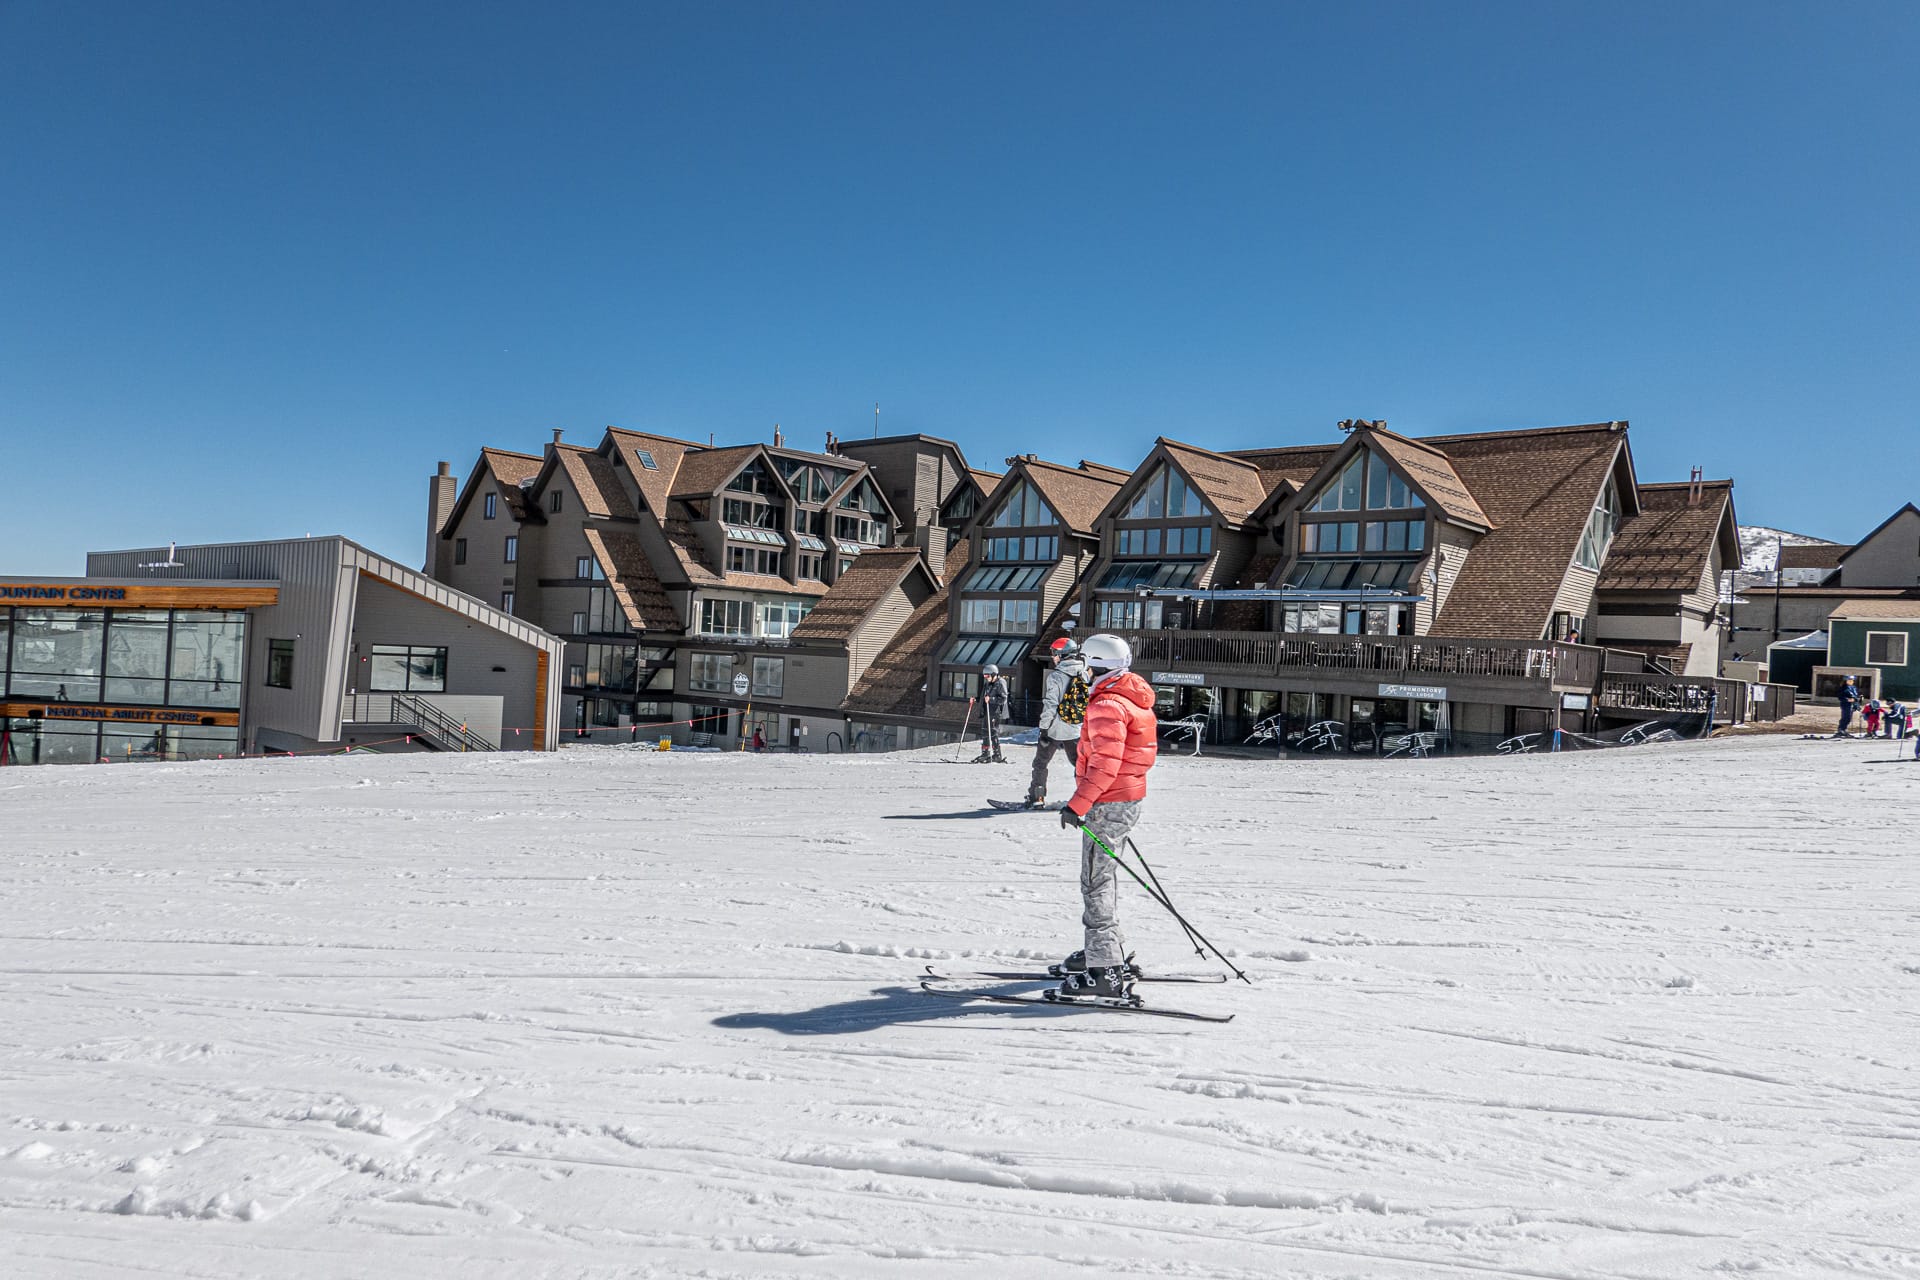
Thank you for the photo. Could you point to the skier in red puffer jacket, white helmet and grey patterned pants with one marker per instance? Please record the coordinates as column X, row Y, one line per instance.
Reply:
column 1120, row 742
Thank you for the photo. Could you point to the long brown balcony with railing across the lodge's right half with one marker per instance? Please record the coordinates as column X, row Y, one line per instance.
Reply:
column 1545, row 667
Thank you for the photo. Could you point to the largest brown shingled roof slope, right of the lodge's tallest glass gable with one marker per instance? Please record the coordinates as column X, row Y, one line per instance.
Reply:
column 1539, row 488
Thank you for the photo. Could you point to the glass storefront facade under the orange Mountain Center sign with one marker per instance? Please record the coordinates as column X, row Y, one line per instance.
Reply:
column 124, row 663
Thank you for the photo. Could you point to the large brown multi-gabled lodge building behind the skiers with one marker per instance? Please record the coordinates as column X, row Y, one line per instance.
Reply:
column 1368, row 594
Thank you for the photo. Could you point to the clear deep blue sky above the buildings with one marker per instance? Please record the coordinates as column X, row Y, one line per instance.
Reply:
column 262, row 268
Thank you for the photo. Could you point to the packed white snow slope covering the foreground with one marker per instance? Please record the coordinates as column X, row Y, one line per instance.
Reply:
column 619, row 1014
